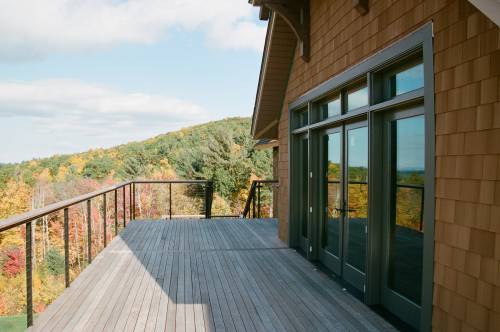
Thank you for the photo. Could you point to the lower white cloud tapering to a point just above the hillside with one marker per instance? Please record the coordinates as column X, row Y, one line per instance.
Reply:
column 63, row 116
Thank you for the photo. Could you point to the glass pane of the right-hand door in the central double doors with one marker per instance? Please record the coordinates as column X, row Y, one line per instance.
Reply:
column 357, row 196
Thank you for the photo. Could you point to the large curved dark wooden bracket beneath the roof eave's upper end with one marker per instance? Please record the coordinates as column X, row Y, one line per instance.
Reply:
column 296, row 15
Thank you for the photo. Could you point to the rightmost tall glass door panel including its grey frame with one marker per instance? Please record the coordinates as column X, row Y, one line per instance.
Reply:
column 404, row 233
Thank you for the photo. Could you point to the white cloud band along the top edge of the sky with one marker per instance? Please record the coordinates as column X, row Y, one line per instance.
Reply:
column 31, row 29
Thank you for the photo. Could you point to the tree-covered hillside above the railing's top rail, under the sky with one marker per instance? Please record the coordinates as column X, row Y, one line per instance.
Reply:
column 221, row 150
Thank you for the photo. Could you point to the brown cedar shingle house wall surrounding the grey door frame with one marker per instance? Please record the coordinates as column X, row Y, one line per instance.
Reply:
column 467, row 106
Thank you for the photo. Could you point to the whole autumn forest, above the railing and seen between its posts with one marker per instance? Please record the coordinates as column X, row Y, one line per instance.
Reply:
column 222, row 151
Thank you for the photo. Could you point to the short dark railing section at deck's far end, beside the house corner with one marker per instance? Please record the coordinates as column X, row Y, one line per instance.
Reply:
column 261, row 201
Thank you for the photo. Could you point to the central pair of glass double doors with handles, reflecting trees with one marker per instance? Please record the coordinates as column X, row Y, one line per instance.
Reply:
column 345, row 198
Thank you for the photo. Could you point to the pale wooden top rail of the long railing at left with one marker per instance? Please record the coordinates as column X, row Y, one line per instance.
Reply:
column 26, row 217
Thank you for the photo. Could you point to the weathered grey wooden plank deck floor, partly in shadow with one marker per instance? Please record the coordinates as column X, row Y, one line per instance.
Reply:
column 217, row 275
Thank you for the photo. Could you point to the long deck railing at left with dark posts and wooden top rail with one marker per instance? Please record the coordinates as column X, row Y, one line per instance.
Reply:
column 59, row 252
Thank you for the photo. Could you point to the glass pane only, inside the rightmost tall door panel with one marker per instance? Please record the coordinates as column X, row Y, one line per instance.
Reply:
column 406, row 247
